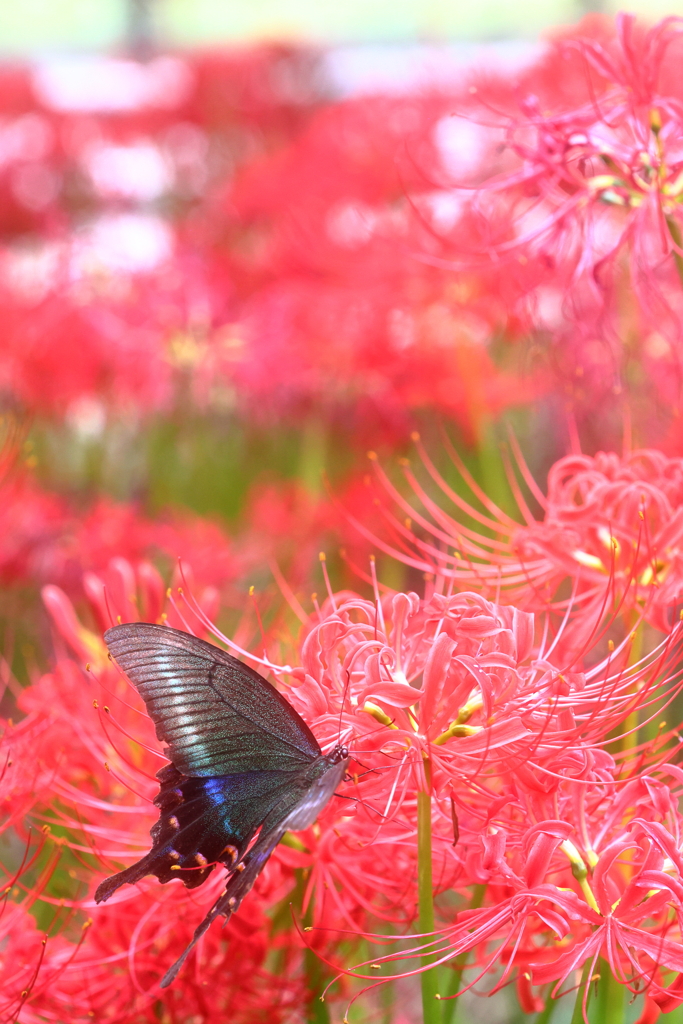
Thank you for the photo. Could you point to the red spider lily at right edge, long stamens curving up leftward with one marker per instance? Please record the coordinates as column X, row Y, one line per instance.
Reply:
column 611, row 531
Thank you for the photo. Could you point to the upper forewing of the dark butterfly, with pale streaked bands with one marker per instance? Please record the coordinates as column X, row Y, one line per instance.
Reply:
column 218, row 716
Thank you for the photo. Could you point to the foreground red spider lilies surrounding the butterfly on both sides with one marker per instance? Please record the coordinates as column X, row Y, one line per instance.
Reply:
column 517, row 743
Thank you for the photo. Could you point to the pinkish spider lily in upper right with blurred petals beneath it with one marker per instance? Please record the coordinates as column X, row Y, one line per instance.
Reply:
column 589, row 205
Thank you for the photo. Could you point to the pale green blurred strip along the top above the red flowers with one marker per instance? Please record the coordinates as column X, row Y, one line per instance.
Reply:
column 78, row 25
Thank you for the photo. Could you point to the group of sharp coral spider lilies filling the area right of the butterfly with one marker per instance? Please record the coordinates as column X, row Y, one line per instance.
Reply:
column 578, row 847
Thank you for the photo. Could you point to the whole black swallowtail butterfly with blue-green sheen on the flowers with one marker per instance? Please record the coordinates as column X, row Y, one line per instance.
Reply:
column 242, row 759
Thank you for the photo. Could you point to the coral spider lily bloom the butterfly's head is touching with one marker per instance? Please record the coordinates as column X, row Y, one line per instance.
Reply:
column 471, row 710
